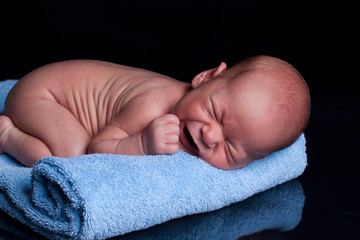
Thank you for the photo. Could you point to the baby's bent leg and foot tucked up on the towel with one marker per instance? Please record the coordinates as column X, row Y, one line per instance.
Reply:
column 43, row 128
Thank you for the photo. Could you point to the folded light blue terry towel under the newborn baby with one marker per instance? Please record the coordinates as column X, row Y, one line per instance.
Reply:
column 102, row 195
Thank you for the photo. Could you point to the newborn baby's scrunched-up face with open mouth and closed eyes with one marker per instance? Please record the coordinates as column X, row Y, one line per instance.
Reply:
column 222, row 122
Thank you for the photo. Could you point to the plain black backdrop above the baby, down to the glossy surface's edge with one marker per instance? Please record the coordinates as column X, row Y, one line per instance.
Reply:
column 181, row 38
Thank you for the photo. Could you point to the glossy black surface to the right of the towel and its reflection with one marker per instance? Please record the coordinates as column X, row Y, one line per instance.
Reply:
column 331, row 182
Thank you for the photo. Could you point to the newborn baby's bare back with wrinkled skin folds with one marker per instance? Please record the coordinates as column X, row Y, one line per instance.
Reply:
column 93, row 91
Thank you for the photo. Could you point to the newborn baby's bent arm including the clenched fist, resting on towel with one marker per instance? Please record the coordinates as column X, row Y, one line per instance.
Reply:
column 161, row 136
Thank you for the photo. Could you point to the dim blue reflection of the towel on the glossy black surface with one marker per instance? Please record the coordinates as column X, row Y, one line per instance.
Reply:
column 279, row 208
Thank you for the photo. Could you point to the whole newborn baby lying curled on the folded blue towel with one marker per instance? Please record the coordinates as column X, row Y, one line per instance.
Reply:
column 227, row 117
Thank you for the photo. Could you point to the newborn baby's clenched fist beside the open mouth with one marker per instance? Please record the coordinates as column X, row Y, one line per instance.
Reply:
column 162, row 135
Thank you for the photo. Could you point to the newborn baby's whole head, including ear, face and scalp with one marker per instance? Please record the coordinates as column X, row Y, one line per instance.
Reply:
column 234, row 116
